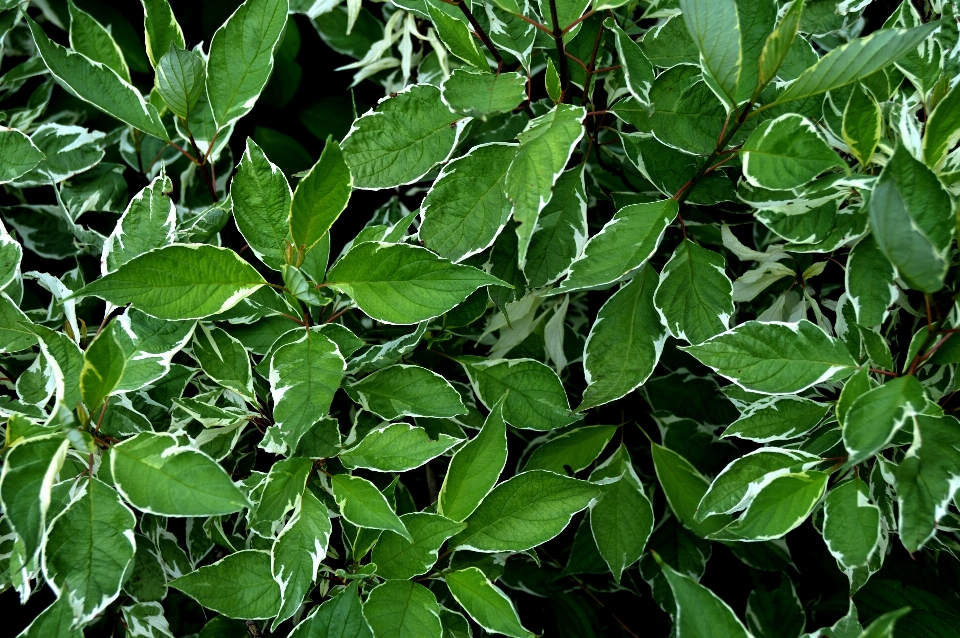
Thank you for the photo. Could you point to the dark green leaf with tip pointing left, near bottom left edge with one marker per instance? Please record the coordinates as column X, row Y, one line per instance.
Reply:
column 238, row 586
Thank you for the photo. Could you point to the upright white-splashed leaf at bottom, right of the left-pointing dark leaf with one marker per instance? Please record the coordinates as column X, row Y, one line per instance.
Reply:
column 298, row 552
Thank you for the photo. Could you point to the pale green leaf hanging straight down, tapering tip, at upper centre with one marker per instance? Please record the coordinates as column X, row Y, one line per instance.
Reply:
column 545, row 147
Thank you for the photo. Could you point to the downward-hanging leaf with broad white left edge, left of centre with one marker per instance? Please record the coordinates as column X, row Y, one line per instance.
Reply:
column 304, row 376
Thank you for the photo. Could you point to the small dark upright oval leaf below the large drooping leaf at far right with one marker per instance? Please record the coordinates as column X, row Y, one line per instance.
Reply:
column 869, row 281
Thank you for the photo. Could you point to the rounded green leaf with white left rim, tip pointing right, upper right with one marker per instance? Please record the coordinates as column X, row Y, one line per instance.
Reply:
column 787, row 152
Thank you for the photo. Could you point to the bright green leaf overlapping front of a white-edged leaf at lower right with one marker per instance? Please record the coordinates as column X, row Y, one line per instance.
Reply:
column 781, row 506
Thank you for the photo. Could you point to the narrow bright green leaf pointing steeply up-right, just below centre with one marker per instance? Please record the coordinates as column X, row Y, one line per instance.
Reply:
column 475, row 468
